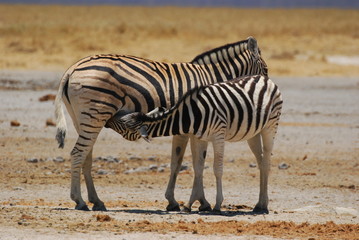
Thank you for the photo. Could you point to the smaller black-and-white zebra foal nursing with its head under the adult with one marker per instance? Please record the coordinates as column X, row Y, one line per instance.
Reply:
column 246, row 108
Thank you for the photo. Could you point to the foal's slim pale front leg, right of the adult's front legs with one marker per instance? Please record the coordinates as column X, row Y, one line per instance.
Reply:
column 218, row 148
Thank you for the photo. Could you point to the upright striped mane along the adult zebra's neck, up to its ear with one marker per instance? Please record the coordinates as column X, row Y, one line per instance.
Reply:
column 251, row 44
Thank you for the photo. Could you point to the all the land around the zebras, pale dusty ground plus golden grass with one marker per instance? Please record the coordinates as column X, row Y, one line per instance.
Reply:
column 317, row 197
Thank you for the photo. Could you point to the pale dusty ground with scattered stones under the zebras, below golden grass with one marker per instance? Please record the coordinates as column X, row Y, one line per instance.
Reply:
column 317, row 197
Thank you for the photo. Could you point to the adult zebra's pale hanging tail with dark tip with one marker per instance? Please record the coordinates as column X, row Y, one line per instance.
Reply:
column 59, row 114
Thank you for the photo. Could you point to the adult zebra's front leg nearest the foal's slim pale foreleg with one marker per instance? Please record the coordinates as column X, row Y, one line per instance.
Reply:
column 199, row 151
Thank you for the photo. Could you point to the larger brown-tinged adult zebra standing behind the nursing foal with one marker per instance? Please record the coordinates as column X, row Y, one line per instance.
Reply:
column 97, row 87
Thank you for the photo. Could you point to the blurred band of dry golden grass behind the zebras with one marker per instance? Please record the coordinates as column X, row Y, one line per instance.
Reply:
column 294, row 42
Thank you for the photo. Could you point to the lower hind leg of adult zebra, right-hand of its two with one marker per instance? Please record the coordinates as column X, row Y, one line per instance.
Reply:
column 92, row 195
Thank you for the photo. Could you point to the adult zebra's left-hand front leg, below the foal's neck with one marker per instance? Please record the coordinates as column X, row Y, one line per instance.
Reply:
column 179, row 144
